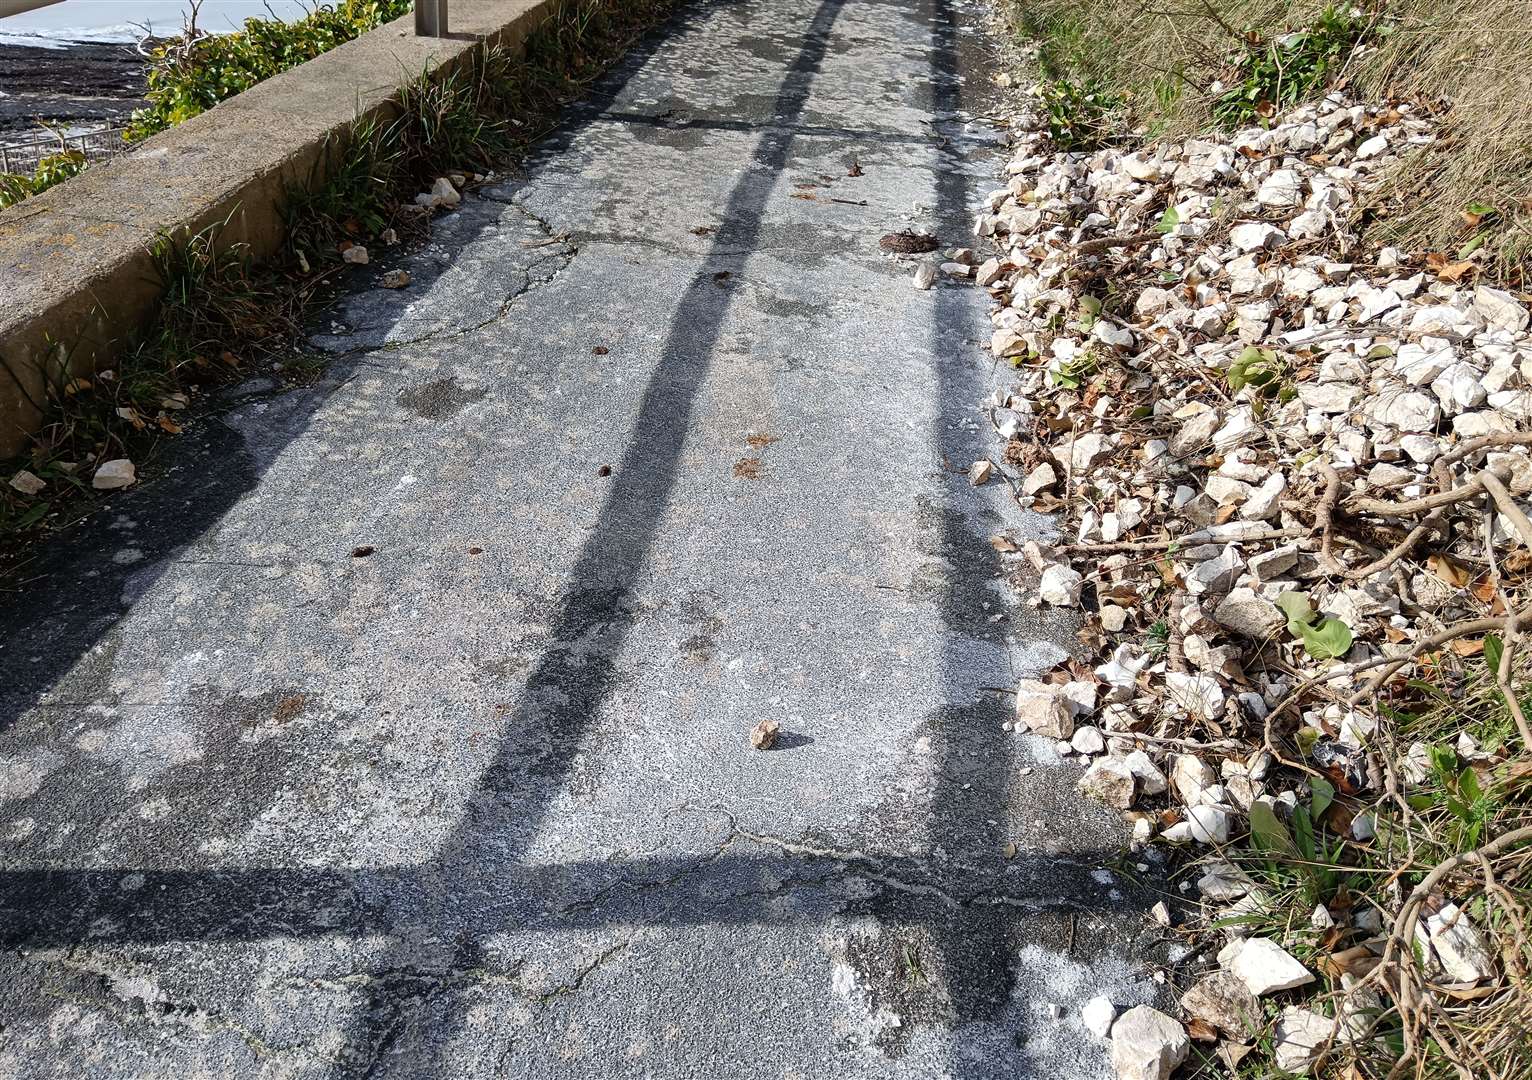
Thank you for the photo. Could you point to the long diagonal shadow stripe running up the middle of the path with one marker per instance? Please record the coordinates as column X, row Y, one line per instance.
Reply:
column 577, row 675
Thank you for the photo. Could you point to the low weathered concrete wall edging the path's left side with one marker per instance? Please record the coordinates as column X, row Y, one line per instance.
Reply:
column 76, row 277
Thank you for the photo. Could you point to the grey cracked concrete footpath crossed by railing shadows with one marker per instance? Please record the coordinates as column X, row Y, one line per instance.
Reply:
column 401, row 727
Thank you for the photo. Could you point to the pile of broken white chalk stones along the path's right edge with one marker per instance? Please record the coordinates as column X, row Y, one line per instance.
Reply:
column 1285, row 466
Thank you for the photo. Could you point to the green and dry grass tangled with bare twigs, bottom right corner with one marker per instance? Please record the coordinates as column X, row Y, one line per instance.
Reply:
column 1449, row 848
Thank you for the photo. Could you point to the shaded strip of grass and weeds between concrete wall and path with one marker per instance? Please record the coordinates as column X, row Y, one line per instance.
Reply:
column 224, row 316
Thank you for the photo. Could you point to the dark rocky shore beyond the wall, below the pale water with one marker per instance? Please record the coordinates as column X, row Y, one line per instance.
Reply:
column 80, row 83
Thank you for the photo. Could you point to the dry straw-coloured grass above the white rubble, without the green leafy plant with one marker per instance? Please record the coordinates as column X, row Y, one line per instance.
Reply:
column 1171, row 59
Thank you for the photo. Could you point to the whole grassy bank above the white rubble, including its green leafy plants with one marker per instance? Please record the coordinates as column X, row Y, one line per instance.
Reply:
column 1122, row 70
